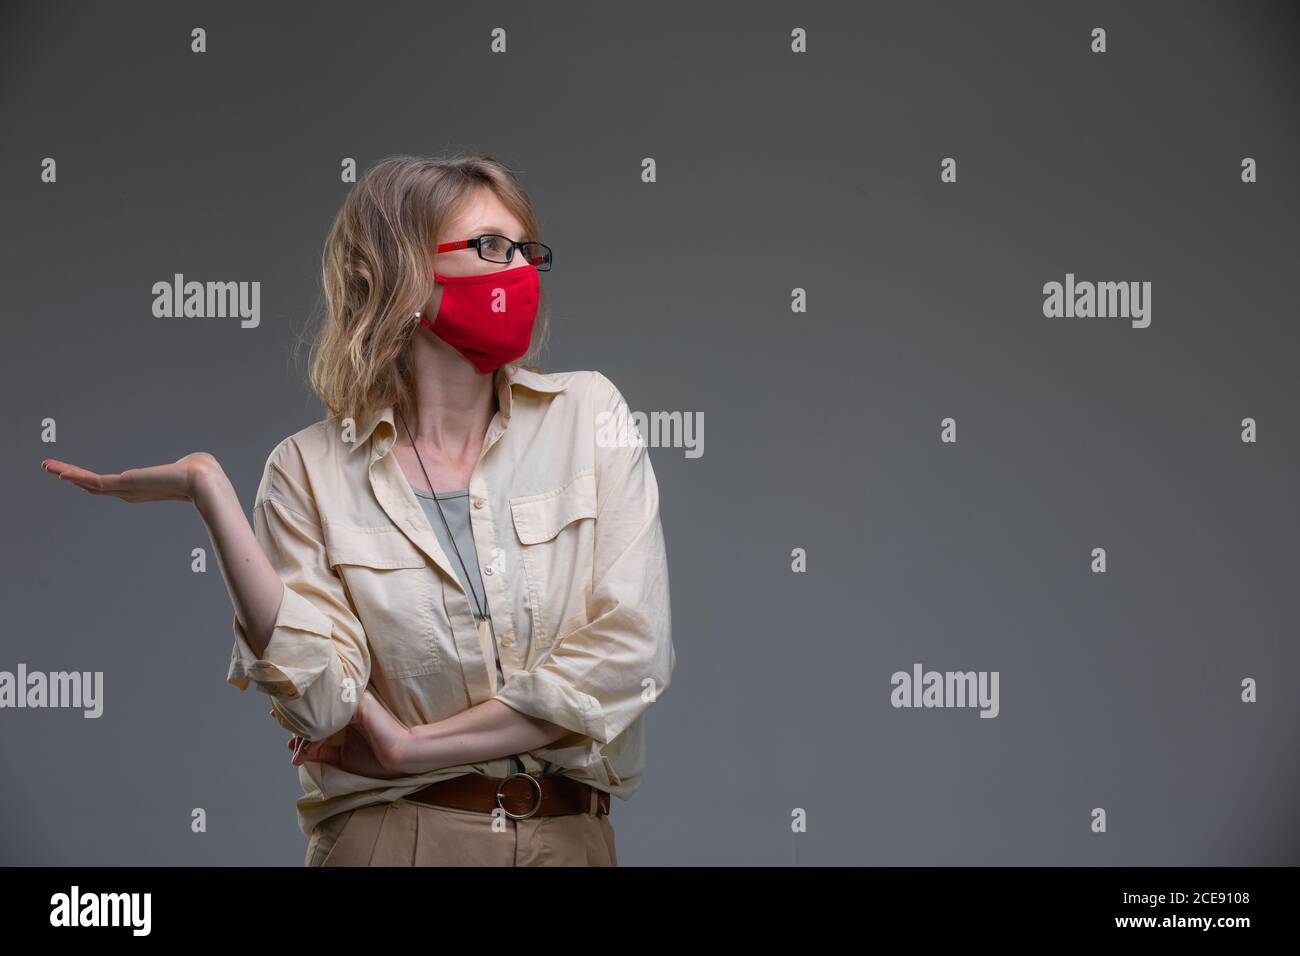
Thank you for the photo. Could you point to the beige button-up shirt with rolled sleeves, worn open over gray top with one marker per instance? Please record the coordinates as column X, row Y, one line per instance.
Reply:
column 571, row 550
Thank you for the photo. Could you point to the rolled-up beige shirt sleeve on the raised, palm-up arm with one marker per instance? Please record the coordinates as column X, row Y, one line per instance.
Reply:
column 318, row 661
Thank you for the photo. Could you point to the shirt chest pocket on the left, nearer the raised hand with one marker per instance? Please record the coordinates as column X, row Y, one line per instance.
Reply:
column 392, row 587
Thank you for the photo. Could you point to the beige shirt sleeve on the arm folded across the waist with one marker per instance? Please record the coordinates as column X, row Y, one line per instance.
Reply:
column 601, row 678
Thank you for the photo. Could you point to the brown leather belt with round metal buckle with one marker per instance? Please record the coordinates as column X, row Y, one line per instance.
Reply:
column 519, row 795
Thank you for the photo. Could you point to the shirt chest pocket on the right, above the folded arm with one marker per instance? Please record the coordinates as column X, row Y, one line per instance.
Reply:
column 557, row 540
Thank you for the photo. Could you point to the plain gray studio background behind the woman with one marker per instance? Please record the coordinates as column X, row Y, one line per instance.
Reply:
column 822, row 430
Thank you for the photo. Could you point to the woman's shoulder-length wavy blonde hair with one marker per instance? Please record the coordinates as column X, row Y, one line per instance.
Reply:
column 378, row 272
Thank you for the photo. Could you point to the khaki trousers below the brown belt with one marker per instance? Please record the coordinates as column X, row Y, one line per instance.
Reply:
column 406, row 834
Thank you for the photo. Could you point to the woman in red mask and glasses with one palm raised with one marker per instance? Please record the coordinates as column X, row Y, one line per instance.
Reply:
column 456, row 589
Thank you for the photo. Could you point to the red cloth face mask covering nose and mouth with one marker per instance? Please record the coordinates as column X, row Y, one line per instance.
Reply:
column 488, row 319
